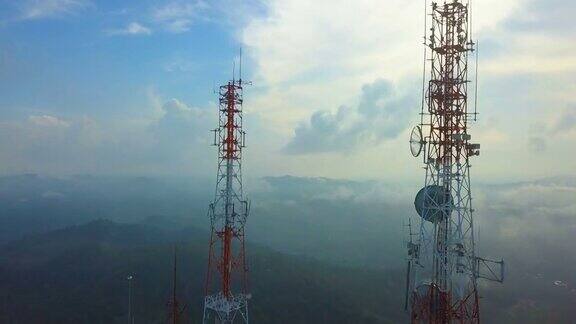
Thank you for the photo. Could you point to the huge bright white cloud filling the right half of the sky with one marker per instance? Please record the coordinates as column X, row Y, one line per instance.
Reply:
column 311, row 58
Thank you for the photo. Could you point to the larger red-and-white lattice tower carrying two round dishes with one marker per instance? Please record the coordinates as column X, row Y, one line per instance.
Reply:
column 443, row 267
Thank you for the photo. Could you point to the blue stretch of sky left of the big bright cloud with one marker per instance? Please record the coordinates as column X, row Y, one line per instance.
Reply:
column 85, row 59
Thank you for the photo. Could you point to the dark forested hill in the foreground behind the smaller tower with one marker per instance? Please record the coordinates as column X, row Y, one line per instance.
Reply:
column 78, row 275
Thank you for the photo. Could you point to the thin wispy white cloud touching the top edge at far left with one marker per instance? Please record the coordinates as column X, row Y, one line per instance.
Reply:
column 38, row 9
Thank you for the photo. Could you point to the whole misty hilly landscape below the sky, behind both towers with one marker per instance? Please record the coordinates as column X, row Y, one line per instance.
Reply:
column 323, row 250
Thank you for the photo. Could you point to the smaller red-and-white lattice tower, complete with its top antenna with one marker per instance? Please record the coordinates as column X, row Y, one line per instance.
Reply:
column 226, row 297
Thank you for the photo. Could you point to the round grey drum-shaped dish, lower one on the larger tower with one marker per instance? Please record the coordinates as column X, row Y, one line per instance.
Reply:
column 433, row 203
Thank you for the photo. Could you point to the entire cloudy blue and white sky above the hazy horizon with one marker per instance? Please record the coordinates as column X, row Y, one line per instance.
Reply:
column 118, row 87
